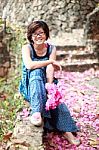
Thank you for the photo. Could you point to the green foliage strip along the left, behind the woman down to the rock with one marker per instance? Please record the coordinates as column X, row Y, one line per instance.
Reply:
column 10, row 104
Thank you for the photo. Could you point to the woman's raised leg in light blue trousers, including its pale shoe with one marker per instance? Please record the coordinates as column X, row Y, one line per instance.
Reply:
column 36, row 101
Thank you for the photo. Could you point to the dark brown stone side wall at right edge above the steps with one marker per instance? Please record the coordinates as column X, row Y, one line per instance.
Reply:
column 92, row 30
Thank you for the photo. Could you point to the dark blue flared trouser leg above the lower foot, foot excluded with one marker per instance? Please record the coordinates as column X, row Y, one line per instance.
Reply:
column 61, row 120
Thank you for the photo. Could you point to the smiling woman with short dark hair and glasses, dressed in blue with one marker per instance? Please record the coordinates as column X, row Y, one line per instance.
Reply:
column 39, row 64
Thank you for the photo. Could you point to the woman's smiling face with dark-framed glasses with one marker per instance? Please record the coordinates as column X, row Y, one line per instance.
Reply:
column 39, row 36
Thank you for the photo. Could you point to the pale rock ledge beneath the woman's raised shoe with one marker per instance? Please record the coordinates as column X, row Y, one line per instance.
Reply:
column 26, row 136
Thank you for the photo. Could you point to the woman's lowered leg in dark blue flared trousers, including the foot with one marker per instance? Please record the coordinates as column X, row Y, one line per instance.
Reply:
column 61, row 120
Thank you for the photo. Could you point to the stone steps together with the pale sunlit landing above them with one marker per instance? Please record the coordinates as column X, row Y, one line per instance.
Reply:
column 75, row 53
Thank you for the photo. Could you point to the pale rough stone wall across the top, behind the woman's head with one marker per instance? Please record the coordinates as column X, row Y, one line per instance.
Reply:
column 61, row 16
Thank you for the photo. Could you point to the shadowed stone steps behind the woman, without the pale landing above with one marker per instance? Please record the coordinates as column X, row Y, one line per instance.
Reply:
column 77, row 58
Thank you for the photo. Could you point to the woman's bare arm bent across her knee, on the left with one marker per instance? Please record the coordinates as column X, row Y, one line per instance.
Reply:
column 33, row 64
